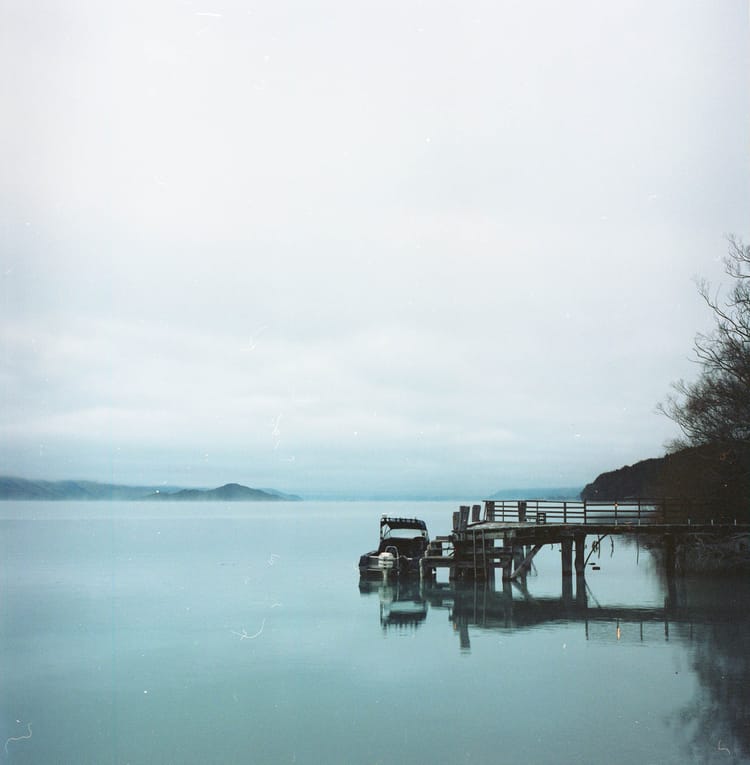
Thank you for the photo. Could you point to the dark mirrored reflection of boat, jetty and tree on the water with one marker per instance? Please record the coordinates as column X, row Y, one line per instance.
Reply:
column 709, row 616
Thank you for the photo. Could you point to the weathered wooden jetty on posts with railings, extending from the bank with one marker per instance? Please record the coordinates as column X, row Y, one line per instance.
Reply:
column 508, row 534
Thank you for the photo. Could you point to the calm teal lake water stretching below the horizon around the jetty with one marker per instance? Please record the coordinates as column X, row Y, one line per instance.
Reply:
column 134, row 633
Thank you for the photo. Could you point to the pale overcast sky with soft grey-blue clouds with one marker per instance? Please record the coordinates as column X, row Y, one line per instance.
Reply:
column 357, row 248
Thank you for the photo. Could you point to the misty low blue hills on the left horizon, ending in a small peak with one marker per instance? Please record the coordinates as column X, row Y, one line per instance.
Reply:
column 12, row 488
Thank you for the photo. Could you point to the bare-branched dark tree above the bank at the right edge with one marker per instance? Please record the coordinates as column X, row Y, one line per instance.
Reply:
column 715, row 409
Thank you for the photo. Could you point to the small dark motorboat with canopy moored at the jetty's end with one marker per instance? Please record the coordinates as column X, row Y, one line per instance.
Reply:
column 403, row 543
